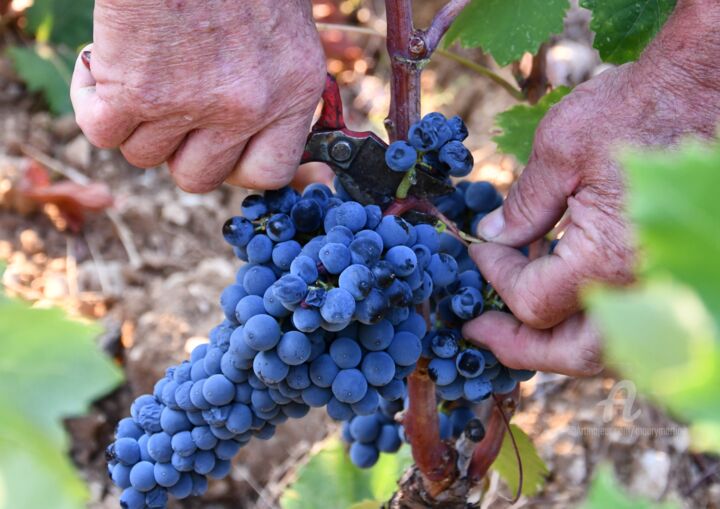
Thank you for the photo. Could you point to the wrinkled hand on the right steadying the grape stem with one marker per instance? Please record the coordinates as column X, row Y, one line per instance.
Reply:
column 572, row 170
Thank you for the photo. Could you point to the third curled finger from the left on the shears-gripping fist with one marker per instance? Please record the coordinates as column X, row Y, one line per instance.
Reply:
column 205, row 159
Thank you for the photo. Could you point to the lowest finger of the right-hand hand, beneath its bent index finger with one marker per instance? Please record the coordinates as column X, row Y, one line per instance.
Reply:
column 571, row 348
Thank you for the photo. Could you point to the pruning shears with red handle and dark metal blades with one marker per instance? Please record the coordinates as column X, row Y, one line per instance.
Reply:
column 358, row 158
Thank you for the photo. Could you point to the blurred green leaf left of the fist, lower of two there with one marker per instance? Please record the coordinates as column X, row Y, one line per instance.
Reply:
column 47, row 71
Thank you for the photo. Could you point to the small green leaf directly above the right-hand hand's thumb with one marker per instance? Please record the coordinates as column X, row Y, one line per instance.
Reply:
column 519, row 123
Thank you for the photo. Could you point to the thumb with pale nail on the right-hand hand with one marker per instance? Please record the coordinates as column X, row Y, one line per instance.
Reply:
column 535, row 204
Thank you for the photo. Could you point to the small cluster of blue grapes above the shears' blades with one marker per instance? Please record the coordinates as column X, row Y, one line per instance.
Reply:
column 435, row 143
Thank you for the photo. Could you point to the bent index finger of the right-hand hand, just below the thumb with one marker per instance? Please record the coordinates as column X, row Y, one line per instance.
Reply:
column 545, row 291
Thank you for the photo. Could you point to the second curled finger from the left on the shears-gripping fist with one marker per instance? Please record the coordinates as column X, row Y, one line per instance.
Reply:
column 152, row 143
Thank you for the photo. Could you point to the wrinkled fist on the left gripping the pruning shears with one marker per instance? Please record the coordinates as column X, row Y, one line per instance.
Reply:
column 220, row 90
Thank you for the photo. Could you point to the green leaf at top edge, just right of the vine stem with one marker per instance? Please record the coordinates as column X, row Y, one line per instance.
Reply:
column 507, row 28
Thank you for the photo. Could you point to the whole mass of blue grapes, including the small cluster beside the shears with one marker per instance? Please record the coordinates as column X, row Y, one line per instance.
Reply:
column 323, row 313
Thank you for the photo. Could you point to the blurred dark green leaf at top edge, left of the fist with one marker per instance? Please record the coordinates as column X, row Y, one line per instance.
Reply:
column 66, row 22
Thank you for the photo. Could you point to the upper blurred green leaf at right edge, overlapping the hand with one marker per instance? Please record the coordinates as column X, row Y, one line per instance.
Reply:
column 675, row 207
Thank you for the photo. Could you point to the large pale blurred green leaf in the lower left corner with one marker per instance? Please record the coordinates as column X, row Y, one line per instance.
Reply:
column 50, row 370
